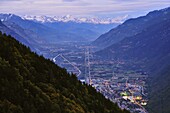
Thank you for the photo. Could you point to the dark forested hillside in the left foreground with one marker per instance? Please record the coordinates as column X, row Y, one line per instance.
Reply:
column 31, row 84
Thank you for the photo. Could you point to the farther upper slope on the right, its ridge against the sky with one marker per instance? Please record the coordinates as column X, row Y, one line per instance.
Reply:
column 132, row 27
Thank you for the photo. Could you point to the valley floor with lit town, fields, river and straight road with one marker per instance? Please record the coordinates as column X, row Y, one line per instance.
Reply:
column 122, row 85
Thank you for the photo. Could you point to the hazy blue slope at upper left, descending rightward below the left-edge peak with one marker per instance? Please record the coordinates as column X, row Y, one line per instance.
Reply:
column 34, row 29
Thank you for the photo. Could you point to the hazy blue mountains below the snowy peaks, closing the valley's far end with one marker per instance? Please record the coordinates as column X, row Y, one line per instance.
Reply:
column 53, row 32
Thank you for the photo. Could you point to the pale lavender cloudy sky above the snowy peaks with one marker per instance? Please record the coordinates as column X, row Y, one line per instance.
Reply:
column 100, row 8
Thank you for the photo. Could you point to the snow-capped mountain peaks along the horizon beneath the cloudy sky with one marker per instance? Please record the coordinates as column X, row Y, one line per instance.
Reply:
column 69, row 18
